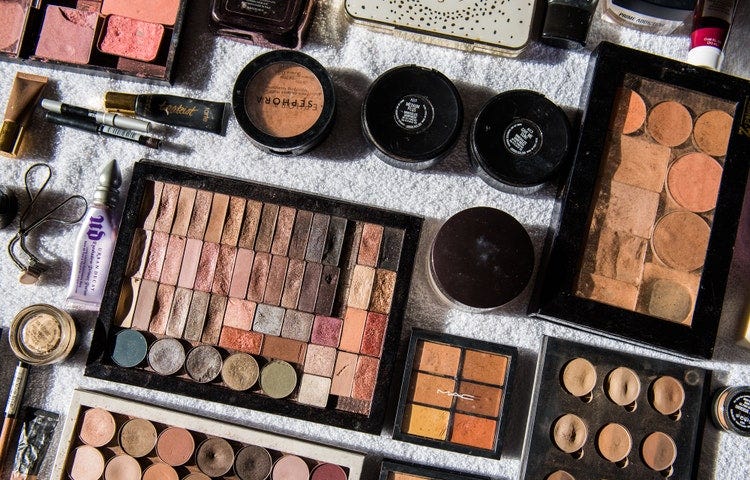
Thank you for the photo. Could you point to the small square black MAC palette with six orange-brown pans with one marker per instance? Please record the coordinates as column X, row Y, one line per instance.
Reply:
column 454, row 393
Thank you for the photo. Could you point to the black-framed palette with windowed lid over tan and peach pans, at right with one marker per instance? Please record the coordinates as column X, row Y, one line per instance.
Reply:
column 651, row 210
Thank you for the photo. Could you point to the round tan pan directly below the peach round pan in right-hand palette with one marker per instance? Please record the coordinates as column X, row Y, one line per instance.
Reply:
column 680, row 240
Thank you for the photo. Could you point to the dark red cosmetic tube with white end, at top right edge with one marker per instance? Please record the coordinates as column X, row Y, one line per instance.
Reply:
column 711, row 23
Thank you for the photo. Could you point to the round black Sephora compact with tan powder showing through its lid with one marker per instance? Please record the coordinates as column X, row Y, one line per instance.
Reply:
column 285, row 102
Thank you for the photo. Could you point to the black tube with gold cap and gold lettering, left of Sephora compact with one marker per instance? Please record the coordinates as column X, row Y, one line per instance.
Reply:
column 171, row 110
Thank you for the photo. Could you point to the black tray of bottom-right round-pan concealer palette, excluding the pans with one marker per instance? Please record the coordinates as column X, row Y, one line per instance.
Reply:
column 551, row 401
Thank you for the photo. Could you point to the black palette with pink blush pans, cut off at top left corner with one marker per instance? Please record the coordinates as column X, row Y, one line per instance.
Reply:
column 133, row 38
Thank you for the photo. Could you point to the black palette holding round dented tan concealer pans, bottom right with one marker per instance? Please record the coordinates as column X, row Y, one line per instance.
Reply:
column 599, row 413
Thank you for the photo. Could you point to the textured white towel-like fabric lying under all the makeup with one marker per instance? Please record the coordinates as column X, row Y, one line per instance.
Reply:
column 343, row 167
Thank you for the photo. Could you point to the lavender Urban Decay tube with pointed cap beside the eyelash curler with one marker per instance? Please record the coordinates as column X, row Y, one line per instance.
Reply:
column 95, row 243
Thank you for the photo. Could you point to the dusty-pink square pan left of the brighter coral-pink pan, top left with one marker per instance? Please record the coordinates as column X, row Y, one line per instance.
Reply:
column 67, row 35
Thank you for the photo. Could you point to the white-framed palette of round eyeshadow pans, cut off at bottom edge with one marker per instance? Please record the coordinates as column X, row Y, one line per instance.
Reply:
column 110, row 438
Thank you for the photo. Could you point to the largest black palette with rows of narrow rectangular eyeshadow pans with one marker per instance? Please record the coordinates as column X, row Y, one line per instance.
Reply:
column 256, row 296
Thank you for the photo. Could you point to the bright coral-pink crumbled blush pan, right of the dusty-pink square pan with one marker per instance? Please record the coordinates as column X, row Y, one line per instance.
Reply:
column 131, row 38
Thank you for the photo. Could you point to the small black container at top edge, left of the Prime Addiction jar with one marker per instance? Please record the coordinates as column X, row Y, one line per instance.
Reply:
column 567, row 26
